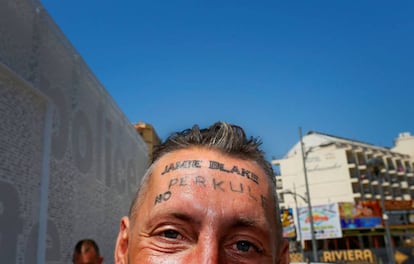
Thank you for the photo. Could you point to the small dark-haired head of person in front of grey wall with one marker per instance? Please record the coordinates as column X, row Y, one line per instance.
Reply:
column 87, row 252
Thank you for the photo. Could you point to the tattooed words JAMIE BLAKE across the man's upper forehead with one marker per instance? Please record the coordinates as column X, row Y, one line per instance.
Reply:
column 214, row 165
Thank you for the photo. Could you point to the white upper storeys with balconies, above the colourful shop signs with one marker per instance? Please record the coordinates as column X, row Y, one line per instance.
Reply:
column 339, row 170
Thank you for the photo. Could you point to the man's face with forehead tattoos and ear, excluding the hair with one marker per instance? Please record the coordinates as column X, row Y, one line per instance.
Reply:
column 201, row 207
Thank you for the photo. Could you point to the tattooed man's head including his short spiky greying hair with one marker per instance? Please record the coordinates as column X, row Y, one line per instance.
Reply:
column 209, row 196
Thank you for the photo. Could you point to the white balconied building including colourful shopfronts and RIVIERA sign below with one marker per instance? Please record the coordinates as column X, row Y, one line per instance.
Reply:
column 352, row 172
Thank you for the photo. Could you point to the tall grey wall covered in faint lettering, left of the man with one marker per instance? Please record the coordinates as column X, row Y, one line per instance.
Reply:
column 70, row 160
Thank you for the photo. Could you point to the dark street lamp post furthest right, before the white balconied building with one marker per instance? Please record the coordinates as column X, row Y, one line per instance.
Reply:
column 375, row 165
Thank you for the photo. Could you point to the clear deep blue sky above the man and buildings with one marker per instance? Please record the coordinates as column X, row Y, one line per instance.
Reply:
column 344, row 68
